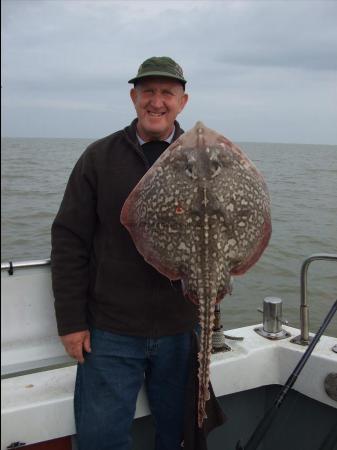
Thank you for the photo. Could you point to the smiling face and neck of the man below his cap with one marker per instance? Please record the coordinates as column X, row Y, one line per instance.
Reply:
column 157, row 101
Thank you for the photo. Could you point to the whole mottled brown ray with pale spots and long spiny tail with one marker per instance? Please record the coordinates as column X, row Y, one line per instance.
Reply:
column 200, row 214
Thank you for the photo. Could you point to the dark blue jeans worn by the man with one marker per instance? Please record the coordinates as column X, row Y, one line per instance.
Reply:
column 108, row 383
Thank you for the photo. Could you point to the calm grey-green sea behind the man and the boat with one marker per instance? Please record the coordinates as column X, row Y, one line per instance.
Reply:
column 302, row 181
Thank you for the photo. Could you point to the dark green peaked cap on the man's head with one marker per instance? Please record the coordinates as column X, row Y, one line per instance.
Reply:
column 159, row 66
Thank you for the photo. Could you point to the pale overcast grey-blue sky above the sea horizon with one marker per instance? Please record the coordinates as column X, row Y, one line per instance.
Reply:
column 261, row 71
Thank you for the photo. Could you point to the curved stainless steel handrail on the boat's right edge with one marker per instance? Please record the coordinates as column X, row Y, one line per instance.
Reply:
column 304, row 338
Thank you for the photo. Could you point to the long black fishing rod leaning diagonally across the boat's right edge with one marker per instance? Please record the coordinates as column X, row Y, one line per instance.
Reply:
column 270, row 415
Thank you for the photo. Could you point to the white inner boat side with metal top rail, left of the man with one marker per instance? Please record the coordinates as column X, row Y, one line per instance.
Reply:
column 30, row 344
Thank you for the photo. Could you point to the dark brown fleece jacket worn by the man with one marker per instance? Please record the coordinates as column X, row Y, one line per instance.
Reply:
column 99, row 279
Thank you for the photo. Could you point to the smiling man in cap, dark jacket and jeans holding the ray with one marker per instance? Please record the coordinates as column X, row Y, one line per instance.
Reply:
column 116, row 315
